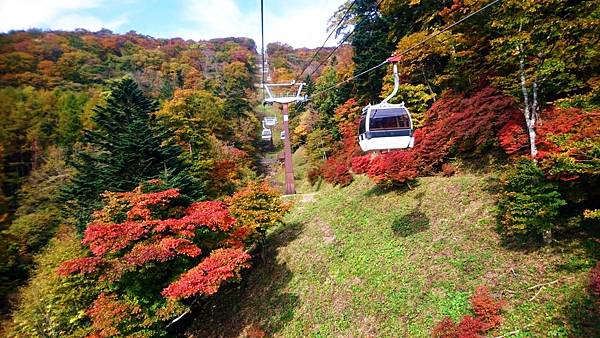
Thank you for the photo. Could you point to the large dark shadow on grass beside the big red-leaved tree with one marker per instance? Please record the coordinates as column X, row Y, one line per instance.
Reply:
column 258, row 303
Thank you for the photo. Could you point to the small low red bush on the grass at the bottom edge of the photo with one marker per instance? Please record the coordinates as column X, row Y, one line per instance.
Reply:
column 487, row 317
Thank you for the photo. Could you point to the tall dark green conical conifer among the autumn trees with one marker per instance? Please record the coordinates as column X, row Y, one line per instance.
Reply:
column 124, row 149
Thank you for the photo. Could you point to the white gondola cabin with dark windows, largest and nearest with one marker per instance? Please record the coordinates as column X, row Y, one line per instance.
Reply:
column 385, row 126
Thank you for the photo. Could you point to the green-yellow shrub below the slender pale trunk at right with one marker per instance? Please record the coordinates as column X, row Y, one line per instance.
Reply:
column 528, row 203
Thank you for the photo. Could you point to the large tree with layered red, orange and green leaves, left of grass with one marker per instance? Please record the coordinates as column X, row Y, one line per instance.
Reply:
column 159, row 247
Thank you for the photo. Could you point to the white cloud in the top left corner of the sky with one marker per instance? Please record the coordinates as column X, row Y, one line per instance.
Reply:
column 55, row 14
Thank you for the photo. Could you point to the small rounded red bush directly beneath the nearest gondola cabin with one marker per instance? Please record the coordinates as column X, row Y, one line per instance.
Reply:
column 393, row 167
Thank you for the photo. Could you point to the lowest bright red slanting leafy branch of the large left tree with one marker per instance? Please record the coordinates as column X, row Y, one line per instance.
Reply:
column 207, row 277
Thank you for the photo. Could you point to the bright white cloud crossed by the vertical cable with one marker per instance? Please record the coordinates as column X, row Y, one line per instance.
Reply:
column 296, row 23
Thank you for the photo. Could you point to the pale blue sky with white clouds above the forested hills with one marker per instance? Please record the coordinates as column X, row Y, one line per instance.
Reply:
column 299, row 23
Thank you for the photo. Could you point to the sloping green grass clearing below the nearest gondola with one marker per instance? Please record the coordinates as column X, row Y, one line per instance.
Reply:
column 361, row 262
